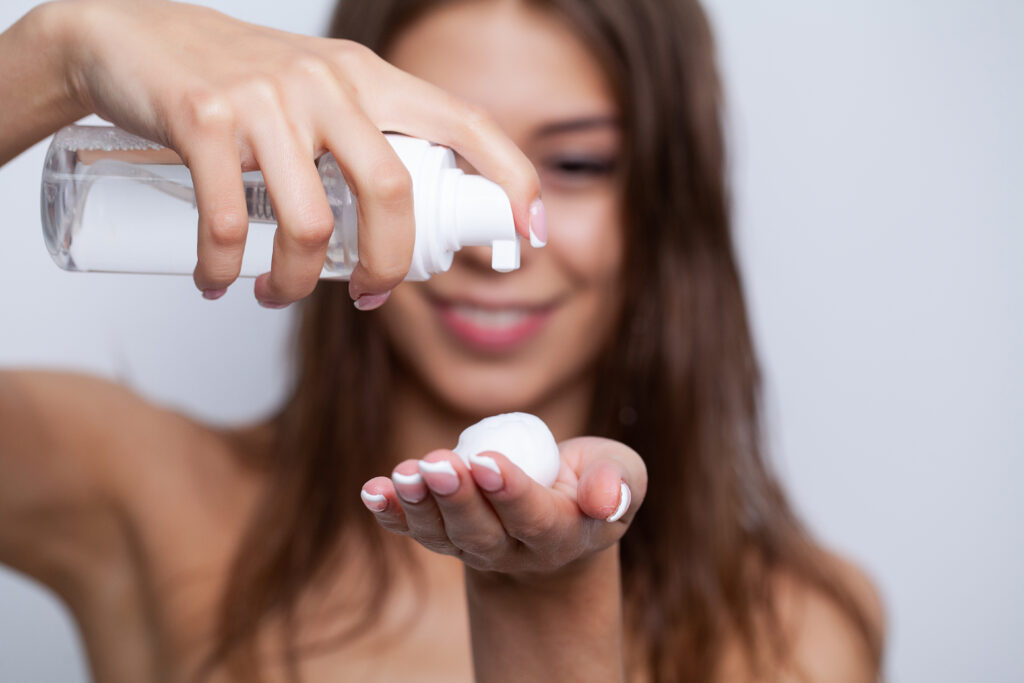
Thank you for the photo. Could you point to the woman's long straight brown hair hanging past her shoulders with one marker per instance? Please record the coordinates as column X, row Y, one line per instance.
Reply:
column 679, row 382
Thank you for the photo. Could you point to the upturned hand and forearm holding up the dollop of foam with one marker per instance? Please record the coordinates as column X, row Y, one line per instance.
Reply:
column 542, row 564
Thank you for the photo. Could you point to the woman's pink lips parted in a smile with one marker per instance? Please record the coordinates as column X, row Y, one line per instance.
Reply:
column 492, row 336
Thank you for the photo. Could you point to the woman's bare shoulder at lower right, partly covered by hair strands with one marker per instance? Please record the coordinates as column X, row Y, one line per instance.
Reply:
column 825, row 643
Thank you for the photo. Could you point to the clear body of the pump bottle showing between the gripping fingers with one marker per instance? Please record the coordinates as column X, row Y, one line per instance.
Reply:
column 115, row 202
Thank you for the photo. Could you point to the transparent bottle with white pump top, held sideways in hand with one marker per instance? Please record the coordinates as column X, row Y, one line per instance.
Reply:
column 117, row 203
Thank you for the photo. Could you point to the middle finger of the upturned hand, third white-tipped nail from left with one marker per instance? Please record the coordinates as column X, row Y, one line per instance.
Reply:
column 471, row 523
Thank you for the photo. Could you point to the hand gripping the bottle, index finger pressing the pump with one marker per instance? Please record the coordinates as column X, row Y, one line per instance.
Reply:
column 229, row 97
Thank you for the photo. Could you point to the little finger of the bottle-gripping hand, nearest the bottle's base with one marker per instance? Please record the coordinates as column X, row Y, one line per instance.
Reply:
column 224, row 222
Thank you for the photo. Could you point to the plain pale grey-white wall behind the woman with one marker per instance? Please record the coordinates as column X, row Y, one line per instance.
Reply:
column 879, row 166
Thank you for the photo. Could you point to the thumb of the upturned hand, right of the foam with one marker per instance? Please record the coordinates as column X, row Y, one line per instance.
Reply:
column 613, row 478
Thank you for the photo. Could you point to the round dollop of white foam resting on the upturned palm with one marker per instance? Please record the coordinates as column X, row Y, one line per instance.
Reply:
column 522, row 438
